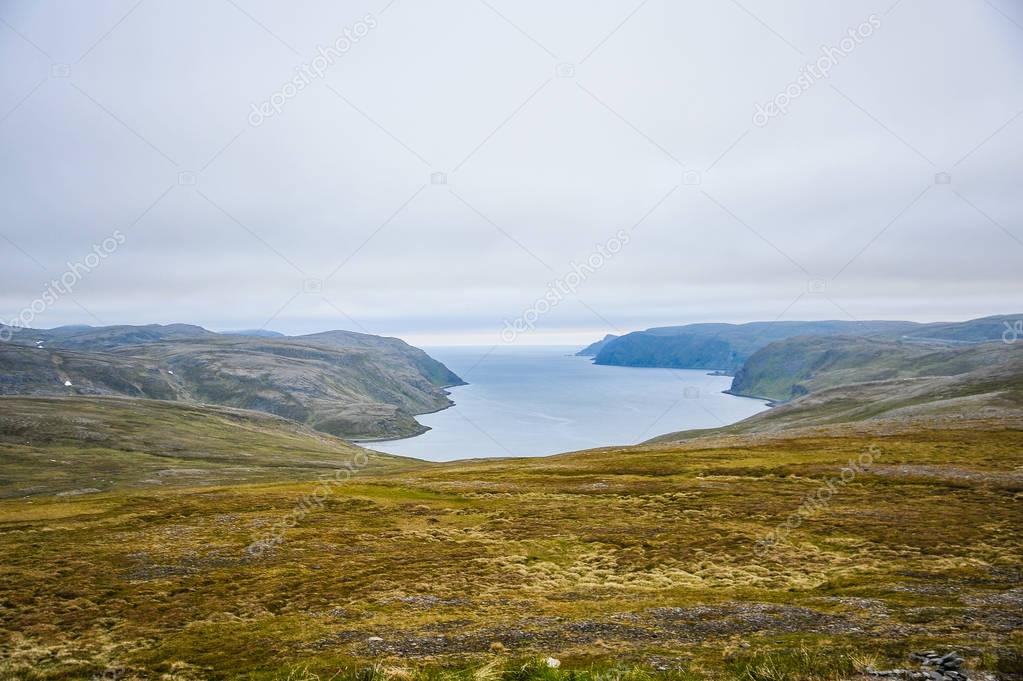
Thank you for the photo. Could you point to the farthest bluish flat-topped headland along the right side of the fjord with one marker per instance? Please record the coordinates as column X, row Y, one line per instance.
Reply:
column 727, row 347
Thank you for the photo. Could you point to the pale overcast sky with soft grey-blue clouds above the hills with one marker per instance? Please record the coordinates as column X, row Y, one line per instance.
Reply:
column 509, row 171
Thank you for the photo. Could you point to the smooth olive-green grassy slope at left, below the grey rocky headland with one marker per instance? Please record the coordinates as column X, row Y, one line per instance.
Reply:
column 75, row 446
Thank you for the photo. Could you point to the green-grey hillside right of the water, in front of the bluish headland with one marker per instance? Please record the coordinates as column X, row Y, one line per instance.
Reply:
column 858, row 385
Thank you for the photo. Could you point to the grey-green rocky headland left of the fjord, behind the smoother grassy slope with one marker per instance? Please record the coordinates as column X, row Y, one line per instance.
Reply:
column 350, row 385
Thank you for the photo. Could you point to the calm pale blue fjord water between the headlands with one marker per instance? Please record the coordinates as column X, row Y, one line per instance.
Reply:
column 540, row 401
